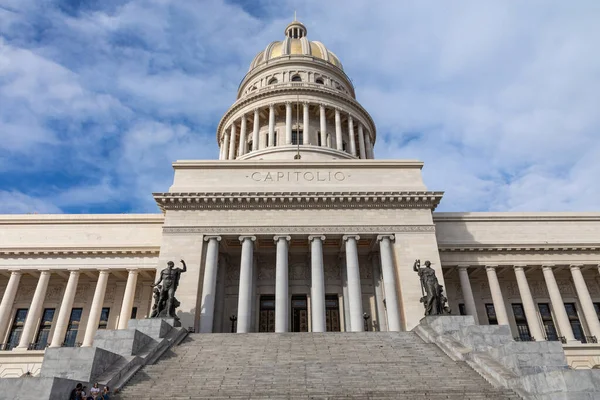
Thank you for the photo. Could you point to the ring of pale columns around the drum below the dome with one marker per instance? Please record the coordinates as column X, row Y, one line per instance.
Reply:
column 234, row 145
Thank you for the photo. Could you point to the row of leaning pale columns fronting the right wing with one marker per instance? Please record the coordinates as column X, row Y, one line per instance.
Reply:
column 529, row 307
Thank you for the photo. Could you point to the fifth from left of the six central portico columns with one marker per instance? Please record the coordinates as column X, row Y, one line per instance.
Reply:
column 354, row 287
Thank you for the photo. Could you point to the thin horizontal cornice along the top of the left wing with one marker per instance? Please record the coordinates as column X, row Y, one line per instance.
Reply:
column 81, row 251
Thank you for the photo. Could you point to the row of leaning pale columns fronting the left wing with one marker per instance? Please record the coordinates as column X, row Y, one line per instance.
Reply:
column 61, row 323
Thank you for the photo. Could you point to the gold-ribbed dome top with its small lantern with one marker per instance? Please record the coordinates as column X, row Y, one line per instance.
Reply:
column 296, row 43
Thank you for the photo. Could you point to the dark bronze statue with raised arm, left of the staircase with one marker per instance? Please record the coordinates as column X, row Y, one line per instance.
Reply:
column 165, row 302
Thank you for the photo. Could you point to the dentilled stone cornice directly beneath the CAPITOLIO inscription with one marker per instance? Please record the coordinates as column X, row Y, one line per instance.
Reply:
column 297, row 200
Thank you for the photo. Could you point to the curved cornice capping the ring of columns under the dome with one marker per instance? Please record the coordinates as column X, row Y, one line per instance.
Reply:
column 287, row 88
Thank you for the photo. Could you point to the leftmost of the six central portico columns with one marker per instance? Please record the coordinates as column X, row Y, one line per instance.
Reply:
column 209, row 285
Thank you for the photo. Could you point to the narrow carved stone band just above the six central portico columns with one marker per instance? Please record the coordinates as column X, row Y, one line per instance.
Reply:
column 304, row 230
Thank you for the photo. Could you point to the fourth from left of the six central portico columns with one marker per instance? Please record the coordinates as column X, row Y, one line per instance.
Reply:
column 317, row 286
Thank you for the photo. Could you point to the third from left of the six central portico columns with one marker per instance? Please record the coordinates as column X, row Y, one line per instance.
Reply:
column 281, row 284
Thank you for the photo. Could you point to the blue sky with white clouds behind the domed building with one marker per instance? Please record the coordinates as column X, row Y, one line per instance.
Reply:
column 500, row 99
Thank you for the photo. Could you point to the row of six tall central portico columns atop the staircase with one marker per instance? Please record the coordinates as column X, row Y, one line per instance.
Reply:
column 317, row 288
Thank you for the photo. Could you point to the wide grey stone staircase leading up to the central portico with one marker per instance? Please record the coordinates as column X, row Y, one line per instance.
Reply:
column 368, row 365
